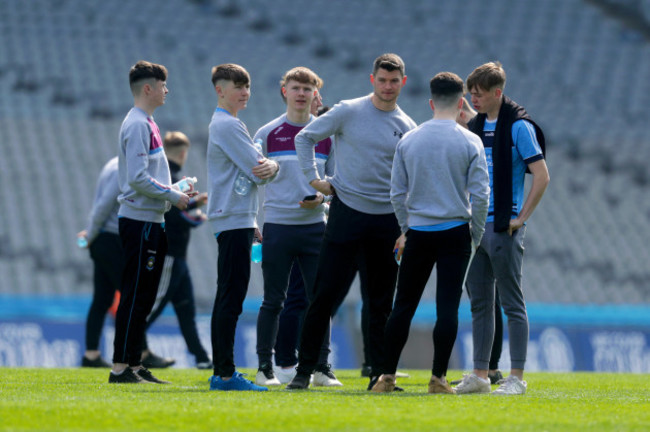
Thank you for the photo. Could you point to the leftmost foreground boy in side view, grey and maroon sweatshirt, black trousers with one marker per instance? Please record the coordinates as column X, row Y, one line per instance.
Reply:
column 147, row 193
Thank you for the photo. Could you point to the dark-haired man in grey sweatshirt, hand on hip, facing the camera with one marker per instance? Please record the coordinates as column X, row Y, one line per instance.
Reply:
column 366, row 131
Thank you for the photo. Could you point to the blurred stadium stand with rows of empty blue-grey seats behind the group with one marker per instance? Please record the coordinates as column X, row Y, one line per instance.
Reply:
column 580, row 67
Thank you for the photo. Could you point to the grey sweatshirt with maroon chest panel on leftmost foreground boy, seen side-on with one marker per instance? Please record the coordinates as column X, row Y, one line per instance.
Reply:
column 145, row 181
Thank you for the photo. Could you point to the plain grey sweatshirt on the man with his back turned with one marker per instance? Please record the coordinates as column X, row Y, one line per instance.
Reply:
column 438, row 168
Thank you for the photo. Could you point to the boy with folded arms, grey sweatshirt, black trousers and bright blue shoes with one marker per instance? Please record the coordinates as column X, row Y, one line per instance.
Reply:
column 235, row 168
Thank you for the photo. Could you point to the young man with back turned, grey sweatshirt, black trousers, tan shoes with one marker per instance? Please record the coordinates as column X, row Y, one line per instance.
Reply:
column 440, row 191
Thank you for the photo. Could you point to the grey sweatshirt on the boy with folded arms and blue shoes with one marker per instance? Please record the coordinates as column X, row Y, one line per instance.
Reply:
column 231, row 150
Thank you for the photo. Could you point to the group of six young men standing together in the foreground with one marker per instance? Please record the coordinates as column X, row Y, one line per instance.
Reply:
column 360, row 183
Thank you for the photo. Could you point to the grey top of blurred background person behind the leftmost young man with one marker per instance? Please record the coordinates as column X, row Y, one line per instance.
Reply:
column 103, row 215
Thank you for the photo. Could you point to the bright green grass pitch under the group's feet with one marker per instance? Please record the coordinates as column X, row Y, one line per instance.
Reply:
column 81, row 399
